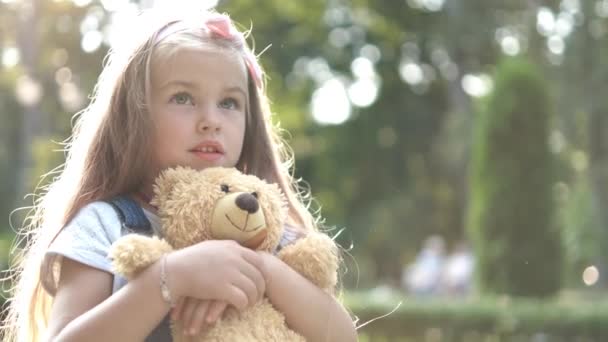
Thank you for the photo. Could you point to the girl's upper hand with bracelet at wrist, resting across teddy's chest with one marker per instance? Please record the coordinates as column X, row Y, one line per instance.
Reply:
column 217, row 269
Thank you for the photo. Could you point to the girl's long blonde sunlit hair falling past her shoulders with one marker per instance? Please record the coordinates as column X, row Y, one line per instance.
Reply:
column 104, row 158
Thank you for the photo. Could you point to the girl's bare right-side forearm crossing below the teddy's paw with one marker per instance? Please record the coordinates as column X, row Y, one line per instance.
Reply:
column 308, row 310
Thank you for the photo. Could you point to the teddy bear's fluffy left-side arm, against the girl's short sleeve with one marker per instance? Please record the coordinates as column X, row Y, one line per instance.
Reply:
column 133, row 253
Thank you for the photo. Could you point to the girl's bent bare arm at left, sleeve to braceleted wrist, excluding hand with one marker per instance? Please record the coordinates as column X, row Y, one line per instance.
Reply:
column 83, row 309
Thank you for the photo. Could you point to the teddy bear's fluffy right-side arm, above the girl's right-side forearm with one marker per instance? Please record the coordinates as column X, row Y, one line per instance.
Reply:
column 315, row 256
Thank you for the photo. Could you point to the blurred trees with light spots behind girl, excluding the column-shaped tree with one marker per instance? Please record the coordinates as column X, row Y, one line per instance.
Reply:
column 395, row 170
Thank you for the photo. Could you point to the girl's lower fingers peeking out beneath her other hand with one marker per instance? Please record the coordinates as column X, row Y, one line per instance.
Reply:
column 197, row 314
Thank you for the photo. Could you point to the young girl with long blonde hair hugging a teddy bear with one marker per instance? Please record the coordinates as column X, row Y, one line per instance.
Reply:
column 184, row 90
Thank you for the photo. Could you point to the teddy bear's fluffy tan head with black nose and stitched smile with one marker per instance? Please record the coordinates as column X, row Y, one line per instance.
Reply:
column 219, row 203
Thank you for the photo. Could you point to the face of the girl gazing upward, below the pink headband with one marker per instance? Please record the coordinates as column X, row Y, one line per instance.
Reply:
column 199, row 105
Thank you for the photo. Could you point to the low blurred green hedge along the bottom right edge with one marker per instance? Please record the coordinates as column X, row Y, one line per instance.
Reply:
column 488, row 319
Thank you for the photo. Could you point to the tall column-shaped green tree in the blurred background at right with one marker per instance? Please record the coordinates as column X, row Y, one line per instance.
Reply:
column 511, row 218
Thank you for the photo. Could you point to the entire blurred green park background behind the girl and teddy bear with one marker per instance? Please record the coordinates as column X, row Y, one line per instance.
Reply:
column 457, row 149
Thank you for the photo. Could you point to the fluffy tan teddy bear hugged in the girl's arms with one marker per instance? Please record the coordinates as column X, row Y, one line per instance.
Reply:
column 224, row 203
